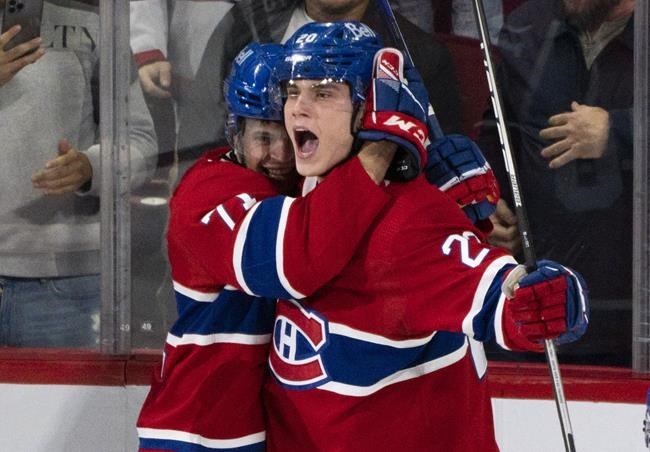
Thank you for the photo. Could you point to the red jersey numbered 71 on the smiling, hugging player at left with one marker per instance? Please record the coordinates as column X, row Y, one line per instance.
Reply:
column 206, row 396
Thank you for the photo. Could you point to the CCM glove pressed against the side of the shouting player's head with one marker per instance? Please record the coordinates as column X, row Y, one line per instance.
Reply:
column 396, row 110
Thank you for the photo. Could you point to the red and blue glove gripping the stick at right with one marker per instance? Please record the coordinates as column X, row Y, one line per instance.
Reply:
column 548, row 303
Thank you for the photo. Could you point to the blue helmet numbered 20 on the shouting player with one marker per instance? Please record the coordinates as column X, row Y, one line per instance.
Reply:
column 341, row 51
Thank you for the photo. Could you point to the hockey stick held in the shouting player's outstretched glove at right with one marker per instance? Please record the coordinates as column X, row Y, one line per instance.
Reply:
column 522, row 218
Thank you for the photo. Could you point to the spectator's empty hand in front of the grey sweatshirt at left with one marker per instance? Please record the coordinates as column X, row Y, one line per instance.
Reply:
column 65, row 173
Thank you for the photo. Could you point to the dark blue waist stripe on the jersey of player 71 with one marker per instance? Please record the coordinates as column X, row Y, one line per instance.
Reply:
column 232, row 312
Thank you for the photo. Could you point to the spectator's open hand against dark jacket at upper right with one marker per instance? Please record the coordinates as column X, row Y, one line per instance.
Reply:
column 581, row 133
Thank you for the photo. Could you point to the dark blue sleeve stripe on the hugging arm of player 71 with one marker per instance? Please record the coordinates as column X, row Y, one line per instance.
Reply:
column 258, row 264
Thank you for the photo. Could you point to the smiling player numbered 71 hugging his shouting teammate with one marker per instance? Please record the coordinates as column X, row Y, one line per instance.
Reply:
column 206, row 395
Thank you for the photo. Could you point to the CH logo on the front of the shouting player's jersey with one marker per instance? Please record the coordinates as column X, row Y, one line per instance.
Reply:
column 299, row 337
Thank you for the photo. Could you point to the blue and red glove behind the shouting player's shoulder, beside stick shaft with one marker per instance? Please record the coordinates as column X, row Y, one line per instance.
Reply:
column 456, row 165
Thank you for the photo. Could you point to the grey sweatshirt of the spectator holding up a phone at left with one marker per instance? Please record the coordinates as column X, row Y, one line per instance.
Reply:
column 54, row 98
